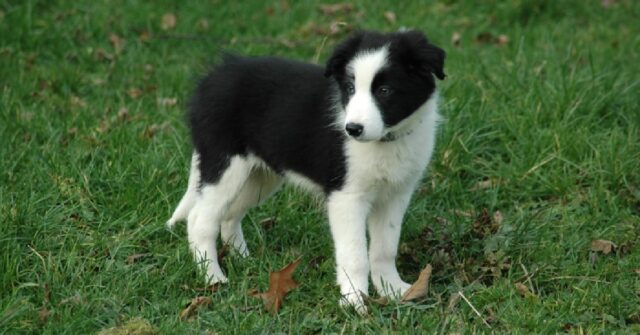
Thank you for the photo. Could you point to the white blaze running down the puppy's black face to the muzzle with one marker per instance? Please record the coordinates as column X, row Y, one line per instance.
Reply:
column 361, row 108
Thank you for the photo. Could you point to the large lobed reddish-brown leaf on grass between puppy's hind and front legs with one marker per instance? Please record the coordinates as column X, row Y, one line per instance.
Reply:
column 280, row 283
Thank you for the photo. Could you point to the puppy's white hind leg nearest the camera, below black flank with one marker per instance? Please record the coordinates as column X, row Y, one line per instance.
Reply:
column 203, row 224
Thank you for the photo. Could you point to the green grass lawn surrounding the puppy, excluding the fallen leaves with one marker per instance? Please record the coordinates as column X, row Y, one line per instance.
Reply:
column 552, row 117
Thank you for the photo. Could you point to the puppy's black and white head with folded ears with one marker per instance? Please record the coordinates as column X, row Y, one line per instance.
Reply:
column 383, row 79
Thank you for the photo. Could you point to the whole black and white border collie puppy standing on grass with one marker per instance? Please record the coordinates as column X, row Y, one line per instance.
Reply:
column 361, row 131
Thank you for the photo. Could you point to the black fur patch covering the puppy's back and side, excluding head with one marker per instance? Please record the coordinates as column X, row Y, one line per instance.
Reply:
column 276, row 109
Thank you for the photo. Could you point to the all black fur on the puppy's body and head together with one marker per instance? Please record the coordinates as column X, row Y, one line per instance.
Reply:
column 283, row 111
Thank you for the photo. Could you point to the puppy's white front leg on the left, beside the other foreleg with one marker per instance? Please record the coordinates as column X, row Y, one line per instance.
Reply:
column 347, row 218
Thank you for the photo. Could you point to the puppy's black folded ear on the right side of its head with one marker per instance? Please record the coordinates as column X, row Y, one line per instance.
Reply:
column 421, row 55
